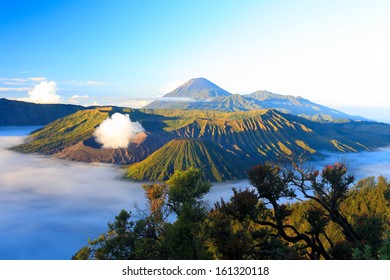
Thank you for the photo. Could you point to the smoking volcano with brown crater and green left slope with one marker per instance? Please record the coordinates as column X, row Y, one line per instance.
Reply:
column 72, row 138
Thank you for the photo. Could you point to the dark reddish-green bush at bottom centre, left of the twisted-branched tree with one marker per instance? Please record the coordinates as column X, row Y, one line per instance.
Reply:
column 233, row 234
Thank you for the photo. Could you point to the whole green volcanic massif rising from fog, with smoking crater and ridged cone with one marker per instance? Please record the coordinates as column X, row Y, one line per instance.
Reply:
column 223, row 144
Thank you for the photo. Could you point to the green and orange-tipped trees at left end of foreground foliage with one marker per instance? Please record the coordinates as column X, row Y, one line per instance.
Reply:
column 153, row 237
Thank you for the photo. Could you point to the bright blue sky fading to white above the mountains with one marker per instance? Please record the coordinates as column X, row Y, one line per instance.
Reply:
column 130, row 52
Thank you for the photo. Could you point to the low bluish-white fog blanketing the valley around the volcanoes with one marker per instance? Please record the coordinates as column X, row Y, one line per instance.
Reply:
column 49, row 208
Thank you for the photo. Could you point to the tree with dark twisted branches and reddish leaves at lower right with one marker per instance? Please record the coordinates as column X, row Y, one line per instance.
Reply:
column 325, row 192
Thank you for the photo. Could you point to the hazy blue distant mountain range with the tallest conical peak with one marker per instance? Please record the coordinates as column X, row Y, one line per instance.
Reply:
column 201, row 94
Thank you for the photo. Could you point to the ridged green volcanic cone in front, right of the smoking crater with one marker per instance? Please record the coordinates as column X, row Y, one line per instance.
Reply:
column 216, row 163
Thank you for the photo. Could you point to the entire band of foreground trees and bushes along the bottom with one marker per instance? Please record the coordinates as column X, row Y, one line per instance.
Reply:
column 334, row 222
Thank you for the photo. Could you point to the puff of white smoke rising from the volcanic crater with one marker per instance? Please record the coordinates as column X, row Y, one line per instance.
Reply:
column 117, row 131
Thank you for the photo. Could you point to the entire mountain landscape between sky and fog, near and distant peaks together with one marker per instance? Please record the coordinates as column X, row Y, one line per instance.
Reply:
column 207, row 127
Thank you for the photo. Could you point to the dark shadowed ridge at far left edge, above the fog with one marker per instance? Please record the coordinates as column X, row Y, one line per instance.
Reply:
column 18, row 113
